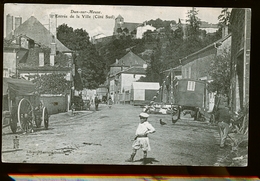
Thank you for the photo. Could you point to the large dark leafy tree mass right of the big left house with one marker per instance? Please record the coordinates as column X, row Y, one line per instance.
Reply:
column 86, row 57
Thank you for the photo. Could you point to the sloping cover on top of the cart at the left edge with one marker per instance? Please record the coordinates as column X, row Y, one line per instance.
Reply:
column 19, row 86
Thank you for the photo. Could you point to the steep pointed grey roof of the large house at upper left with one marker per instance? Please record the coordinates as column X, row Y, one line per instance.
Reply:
column 34, row 30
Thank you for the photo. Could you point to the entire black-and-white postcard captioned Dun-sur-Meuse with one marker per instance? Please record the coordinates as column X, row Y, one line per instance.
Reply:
column 125, row 85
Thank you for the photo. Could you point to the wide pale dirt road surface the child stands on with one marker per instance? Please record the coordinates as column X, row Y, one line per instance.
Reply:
column 105, row 137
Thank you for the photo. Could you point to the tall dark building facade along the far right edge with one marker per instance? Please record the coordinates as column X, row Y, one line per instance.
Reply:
column 240, row 58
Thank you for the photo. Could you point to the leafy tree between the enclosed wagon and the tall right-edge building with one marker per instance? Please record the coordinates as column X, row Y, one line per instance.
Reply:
column 220, row 73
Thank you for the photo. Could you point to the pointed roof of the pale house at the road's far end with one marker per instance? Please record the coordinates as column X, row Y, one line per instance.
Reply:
column 128, row 60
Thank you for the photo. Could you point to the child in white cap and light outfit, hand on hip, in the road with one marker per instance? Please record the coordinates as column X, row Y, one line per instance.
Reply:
column 141, row 140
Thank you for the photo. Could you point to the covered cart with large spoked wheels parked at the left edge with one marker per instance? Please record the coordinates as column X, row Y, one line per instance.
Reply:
column 21, row 106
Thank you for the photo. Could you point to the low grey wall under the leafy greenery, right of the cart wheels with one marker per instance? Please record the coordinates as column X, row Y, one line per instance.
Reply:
column 55, row 103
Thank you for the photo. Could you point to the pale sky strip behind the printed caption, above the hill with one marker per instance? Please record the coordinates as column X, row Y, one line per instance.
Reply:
column 98, row 21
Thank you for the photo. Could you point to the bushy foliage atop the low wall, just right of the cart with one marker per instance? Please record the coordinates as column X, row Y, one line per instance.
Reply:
column 51, row 84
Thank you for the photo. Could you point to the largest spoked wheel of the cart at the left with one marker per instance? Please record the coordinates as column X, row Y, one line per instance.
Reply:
column 25, row 114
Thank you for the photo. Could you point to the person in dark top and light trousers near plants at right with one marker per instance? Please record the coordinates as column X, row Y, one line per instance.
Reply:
column 223, row 119
